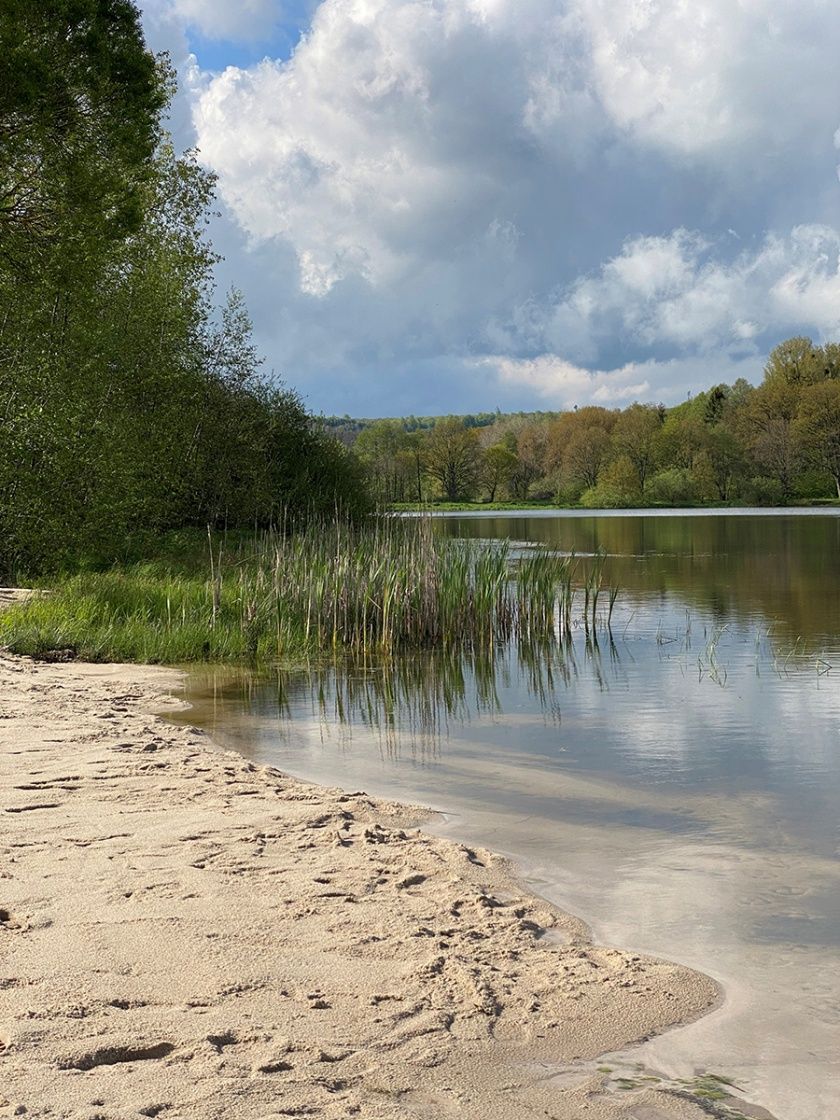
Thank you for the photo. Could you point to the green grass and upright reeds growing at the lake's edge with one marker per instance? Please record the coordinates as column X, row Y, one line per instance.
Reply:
column 385, row 586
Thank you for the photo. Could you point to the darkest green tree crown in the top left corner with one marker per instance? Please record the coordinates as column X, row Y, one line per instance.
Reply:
column 81, row 102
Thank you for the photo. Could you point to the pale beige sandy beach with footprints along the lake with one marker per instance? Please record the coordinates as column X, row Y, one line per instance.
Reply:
column 189, row 936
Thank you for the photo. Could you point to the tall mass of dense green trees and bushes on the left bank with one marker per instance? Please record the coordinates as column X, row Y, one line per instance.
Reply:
column 129, row 404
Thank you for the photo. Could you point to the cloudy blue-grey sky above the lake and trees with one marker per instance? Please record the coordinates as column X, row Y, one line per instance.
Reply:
column 438, row 207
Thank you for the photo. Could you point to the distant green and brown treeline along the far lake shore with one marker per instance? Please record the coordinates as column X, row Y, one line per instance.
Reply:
column 768, row 445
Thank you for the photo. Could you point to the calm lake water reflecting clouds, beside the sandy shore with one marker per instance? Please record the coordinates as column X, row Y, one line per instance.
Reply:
column 676, row 783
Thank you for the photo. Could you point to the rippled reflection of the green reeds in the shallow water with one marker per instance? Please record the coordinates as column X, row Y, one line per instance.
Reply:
column 416, row 704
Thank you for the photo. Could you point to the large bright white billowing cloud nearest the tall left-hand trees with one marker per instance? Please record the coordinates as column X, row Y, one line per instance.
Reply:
column 388, row 139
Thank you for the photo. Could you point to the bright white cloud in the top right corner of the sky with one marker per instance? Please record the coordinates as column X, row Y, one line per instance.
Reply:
column 692, row 76
